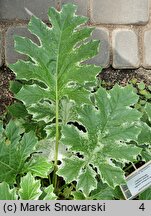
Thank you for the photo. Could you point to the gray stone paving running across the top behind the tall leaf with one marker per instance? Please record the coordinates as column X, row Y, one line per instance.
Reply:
column 119, row 13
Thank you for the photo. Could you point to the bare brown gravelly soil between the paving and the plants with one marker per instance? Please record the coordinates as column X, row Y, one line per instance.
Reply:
column 109, row 75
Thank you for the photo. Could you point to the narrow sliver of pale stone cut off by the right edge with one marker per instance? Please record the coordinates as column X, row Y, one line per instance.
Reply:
column 147, row 49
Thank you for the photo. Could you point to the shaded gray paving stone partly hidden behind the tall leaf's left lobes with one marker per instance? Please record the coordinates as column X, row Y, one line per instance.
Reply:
column 11, row 56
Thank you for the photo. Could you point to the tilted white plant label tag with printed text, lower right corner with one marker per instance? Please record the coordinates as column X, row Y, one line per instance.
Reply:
column 137, row 182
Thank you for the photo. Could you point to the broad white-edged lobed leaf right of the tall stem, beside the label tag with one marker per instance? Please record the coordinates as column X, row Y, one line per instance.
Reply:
column 109, row 127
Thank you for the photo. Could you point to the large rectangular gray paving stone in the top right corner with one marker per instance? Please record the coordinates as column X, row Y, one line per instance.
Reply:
column 120, row 11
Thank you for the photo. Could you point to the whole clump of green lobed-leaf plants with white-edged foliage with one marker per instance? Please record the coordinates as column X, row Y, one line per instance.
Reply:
column 74, row 138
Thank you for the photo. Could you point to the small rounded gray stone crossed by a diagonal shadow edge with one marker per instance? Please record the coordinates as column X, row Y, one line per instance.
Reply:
column 125, row 49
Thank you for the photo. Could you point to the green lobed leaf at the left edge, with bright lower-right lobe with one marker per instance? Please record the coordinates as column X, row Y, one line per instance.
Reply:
column 15, row 149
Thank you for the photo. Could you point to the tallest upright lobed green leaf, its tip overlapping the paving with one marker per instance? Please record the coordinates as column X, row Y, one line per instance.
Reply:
column 56, row 65
